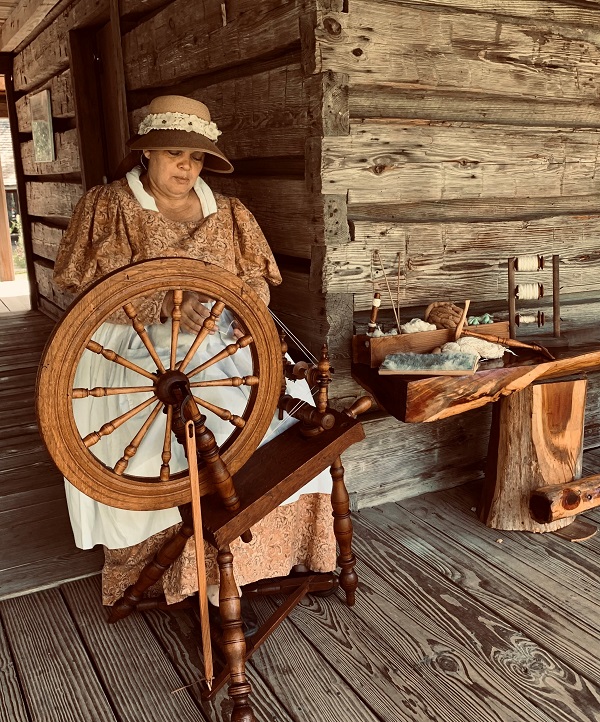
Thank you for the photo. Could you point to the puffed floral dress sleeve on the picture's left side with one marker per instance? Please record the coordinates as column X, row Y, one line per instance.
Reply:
column 94, row 244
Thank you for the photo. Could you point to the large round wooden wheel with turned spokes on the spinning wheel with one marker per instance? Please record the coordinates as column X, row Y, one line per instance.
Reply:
column 157, row 372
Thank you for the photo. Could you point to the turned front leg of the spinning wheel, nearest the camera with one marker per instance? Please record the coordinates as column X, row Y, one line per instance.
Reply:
column 233, row 642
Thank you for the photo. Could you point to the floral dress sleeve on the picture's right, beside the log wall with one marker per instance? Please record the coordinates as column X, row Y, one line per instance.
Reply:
column 255, row 263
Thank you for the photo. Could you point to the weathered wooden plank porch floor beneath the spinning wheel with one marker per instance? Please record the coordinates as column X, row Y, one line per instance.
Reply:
column 453, row 621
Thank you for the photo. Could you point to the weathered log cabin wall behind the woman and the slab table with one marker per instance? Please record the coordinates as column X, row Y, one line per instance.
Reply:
column 440, row 136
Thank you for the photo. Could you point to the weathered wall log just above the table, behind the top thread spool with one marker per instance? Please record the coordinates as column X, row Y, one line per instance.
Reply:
column 422, row 262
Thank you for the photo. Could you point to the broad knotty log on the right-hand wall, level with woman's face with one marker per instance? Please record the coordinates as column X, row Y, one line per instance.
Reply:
column 430, row 161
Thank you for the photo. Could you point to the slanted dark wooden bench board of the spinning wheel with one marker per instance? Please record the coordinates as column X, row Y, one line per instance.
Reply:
column 274, row 472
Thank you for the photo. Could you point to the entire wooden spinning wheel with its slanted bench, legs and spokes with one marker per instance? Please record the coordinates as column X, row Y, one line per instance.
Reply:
column 174, row 372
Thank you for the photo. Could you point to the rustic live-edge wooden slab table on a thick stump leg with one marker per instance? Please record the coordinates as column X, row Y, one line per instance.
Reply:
column 537, row 429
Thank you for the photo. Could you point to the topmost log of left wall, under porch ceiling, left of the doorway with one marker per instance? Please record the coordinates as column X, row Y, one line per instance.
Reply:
column 47, row 55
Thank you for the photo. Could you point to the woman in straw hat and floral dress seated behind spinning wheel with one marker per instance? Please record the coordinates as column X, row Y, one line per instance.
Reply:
column 165, row 209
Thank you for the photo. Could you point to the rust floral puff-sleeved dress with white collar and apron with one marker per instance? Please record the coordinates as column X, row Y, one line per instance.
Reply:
column 109, row 229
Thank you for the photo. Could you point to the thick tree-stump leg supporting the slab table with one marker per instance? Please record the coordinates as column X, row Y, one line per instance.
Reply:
column 536, row 440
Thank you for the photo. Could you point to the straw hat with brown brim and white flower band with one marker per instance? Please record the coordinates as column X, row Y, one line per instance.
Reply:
column 175, row 122
